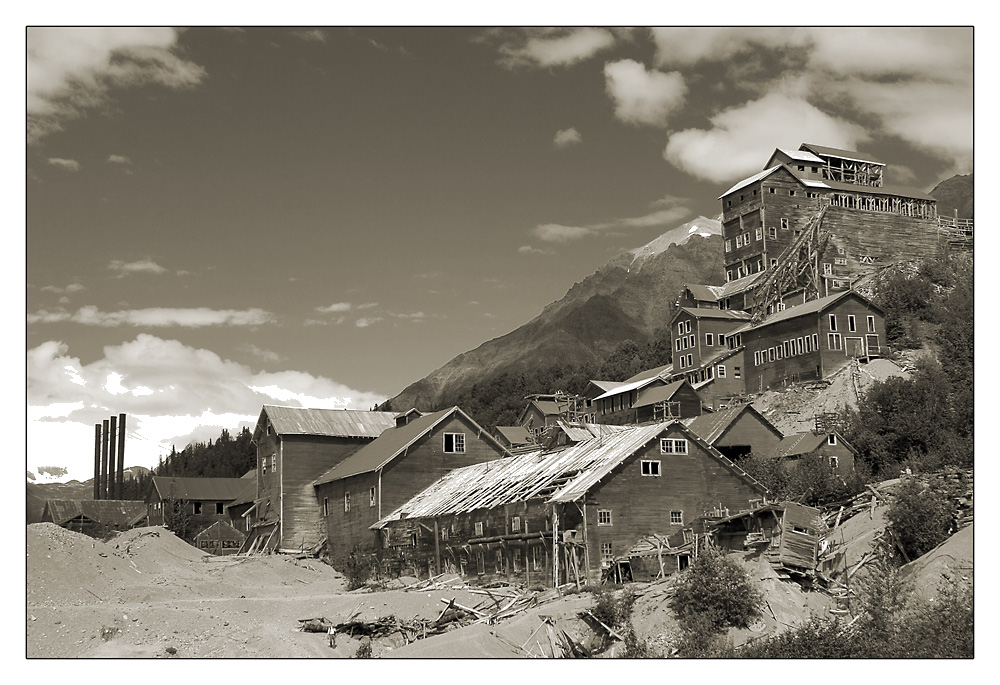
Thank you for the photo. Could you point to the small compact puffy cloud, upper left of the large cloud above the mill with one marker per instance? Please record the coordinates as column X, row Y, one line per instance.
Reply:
column 641, row 96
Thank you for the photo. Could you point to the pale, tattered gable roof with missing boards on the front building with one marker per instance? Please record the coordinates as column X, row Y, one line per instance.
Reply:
column 562, row 475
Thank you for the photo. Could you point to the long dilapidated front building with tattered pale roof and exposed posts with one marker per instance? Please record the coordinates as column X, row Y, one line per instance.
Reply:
column 558, row 516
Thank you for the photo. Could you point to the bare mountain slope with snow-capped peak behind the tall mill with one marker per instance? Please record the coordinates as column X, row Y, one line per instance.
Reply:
column 629, row 298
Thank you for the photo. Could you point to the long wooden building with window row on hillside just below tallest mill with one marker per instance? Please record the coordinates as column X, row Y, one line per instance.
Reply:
column 810, row 341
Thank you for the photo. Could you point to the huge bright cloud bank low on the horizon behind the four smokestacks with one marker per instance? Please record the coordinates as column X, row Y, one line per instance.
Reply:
column 168, row 390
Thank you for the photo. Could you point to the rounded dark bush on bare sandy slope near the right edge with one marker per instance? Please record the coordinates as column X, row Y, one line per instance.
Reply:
column 920, row 517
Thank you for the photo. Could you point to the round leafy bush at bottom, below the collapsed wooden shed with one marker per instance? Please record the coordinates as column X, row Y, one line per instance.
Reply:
column 715, row 593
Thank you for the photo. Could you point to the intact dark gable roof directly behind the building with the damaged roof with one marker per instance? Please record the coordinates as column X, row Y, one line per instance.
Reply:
column 393, row 442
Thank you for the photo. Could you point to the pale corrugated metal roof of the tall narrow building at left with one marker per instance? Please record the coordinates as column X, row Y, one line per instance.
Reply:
column 344, row 423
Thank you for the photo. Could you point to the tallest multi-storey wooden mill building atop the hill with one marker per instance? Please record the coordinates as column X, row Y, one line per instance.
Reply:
column 873, row 222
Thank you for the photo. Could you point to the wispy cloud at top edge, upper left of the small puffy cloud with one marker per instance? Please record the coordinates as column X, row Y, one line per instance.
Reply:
column 544, row 47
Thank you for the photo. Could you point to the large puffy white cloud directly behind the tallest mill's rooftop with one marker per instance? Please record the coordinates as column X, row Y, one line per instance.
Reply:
column 742, row 136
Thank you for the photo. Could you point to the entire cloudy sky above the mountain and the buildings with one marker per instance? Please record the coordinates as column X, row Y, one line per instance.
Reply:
column 221, row 218
